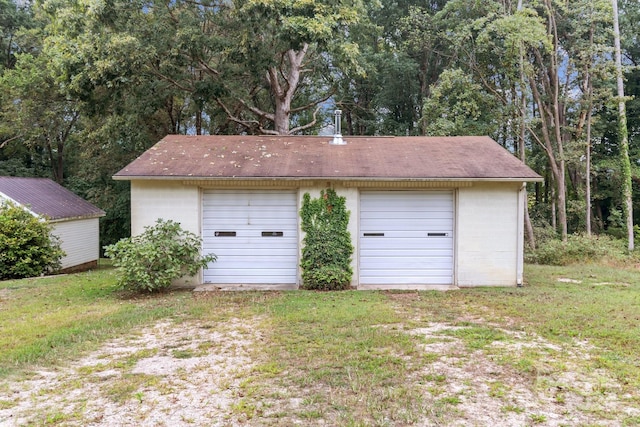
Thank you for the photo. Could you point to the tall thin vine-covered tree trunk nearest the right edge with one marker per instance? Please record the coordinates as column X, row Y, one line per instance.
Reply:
column 623, row 133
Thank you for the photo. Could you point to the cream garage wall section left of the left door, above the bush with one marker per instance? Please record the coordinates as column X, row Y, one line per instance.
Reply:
column 151, row 200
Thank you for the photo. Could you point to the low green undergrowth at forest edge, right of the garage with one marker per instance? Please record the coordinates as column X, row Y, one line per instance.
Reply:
column 577, row 248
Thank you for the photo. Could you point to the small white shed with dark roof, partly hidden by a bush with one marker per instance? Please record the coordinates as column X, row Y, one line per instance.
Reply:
column 74, row 220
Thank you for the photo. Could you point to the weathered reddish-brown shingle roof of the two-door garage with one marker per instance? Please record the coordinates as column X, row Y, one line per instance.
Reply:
column 298, row 157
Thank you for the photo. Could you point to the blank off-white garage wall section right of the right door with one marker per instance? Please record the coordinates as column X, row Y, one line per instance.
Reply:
column 487, row 234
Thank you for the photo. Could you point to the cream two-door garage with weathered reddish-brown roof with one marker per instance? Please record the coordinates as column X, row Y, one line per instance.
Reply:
column 425, row 211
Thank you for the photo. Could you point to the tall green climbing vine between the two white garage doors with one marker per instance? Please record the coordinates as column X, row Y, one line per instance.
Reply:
column 327, row 250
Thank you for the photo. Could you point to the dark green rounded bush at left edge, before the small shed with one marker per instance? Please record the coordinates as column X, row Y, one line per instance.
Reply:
column 27, row 247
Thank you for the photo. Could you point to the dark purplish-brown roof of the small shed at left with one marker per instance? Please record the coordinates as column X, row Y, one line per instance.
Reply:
column 47, row 198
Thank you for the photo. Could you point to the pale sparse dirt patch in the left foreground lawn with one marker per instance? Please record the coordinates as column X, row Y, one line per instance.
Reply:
column 170, row 374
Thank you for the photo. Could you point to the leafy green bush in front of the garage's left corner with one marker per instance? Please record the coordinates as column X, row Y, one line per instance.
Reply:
column 152, row 260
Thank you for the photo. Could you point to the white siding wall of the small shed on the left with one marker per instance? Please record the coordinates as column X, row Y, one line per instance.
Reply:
column 80, row 239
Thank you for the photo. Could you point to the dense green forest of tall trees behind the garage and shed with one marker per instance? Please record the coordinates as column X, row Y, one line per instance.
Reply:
column 88, row 85
